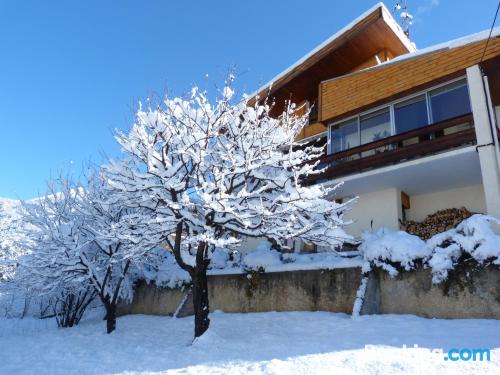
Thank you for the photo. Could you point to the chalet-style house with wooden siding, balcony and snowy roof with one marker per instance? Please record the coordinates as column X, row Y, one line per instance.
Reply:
column 407, row 131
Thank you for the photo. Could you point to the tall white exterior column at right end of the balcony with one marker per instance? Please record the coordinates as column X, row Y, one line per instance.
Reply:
column 490, row 170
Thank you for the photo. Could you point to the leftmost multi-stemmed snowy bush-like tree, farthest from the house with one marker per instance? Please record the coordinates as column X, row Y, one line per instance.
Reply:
column 50, row 270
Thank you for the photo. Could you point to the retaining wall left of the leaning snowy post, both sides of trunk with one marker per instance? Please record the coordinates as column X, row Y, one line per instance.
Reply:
column 324, row 290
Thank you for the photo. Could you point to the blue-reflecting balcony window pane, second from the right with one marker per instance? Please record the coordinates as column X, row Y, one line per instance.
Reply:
column 410, row 114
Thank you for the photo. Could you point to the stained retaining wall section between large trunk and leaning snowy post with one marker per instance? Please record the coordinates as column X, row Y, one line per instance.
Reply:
column 327, row 290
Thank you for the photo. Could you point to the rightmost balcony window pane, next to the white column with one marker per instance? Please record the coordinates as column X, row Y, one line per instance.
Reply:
column 449, row 101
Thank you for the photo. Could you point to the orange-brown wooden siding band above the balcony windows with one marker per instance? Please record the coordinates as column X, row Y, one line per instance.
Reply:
column 345, row 95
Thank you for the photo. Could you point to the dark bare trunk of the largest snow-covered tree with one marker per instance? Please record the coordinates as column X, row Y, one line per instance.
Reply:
column 200, row 292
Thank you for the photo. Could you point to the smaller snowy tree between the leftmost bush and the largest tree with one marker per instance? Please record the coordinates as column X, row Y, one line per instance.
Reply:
column 120, row 245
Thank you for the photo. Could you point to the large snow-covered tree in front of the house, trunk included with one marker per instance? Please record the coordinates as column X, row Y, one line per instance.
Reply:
column 214, row 173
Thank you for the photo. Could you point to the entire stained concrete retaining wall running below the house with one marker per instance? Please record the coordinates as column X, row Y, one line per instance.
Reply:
column 333, row 290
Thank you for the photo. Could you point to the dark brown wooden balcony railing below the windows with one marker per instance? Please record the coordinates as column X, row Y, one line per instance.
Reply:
column 430, row 139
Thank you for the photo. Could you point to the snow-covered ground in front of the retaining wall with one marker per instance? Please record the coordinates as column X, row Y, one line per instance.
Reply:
column 273, row 343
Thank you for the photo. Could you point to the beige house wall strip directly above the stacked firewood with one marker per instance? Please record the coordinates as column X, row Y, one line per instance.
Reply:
column 470, row 197
